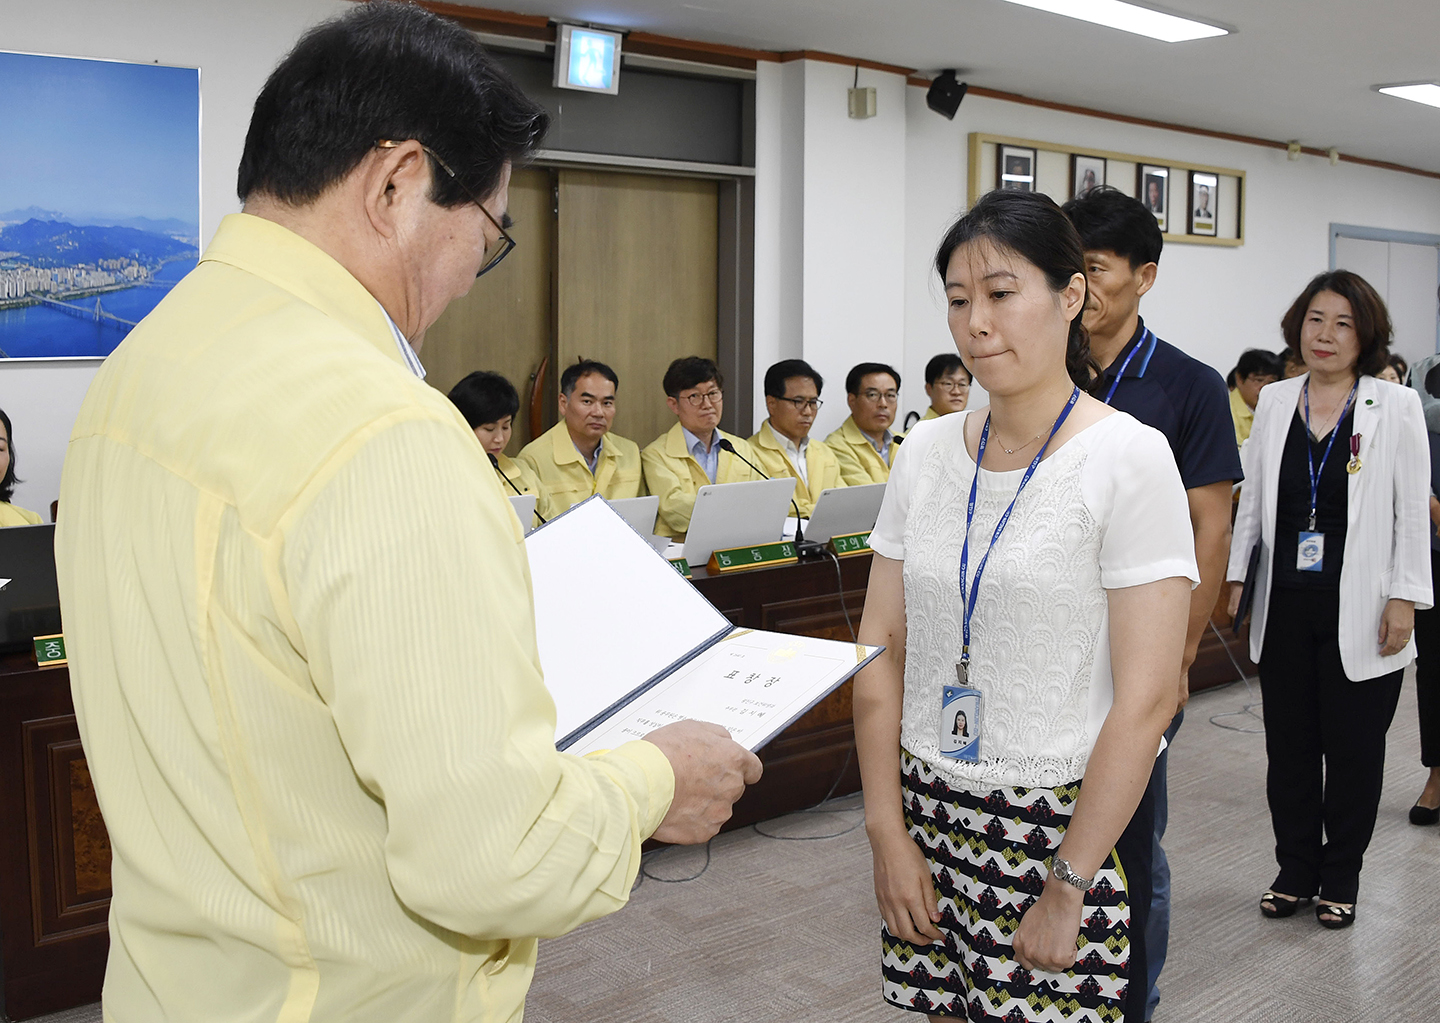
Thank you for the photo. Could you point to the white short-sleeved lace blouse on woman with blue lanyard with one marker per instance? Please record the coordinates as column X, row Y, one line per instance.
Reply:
column 1105, row 512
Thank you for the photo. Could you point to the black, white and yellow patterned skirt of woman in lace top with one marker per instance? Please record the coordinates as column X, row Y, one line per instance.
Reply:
column 990, row 858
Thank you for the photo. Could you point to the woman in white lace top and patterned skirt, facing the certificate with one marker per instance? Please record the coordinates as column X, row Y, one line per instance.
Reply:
column 1076, row 553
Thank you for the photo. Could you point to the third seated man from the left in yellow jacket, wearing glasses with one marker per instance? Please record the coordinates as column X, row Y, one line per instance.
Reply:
column 784, row 446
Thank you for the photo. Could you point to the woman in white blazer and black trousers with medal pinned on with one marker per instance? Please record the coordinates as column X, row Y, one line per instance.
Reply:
column 1337, row 496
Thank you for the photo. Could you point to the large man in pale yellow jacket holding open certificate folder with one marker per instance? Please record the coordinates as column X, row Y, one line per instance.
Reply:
column 299, row 609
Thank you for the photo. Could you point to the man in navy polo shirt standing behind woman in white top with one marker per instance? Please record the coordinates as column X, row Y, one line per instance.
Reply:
column 1187, row 401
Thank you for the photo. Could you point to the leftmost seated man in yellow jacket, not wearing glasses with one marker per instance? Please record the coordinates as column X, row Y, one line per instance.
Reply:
column 580, row 456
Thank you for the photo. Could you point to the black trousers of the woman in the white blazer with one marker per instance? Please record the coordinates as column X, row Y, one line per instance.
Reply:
column 1326, row 737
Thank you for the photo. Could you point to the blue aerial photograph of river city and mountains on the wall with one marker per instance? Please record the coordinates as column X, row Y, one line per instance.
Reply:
column 103, row 215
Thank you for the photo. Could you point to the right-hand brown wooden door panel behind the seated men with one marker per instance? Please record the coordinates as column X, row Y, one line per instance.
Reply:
column 637, row 283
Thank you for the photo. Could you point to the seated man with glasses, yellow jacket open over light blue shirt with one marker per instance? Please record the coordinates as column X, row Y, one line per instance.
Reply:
column 685, row 459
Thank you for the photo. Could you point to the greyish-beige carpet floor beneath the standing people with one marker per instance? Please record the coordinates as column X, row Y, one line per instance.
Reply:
column 787, row 932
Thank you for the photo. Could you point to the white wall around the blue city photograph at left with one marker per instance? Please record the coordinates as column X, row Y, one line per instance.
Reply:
column 235, row 45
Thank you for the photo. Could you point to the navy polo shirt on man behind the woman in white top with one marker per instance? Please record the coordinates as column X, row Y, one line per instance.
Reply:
column 1183, row 398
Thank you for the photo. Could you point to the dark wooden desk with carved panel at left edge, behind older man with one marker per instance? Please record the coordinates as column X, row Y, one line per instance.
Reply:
column 54, row 849
